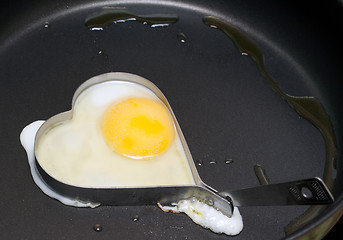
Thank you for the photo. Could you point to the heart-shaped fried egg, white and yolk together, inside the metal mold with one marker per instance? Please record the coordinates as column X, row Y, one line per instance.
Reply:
column 121, row 135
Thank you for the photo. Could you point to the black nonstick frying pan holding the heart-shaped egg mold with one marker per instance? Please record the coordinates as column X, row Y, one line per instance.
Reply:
column 230, row 115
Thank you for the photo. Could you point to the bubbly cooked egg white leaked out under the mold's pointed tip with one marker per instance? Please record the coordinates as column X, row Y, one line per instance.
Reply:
column 208, row 217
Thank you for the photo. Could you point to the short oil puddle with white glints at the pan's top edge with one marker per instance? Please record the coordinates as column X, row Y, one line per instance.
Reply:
column 112, row 15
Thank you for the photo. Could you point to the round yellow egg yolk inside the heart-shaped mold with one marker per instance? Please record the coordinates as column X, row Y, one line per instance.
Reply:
column 138, row 128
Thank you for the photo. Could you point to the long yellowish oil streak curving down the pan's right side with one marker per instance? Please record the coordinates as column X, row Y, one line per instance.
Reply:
column 306, row 106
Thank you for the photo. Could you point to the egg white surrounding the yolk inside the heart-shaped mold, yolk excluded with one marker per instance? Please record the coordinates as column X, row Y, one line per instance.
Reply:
column 75, row 152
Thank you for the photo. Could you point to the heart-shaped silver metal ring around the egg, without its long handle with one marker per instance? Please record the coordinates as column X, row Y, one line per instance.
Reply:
column 118, row 195
